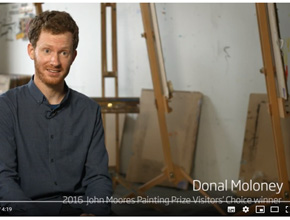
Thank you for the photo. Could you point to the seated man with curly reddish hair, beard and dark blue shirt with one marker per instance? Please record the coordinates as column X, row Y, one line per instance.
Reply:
column 51, row 137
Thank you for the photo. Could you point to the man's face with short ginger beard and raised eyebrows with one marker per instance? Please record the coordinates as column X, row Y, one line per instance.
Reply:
column 53, row 56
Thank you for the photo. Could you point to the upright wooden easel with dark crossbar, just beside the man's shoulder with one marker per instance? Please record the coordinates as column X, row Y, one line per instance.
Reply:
column 115, row 104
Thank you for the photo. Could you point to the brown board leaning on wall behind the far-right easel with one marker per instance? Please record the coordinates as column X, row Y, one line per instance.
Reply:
column 258, row 158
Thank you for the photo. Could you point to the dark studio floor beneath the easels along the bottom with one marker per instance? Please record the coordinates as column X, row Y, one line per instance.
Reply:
column 181, row 209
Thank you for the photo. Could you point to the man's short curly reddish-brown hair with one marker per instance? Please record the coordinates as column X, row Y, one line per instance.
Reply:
column 55, row 22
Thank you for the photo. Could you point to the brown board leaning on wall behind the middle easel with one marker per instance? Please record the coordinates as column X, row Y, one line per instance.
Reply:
column 147, row 160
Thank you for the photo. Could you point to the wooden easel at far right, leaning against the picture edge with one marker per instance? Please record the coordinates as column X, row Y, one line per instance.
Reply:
column 269, row 71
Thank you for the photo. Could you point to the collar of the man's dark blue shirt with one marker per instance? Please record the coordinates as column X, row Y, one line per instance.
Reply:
column 39, row 97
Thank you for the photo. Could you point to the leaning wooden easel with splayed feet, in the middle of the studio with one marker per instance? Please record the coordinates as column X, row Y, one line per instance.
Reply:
column 162, row 93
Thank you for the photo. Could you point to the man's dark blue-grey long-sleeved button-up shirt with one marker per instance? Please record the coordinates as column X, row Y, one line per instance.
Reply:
column 49, row 154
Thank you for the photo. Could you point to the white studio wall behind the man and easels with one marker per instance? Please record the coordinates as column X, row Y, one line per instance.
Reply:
column 211, row 48
